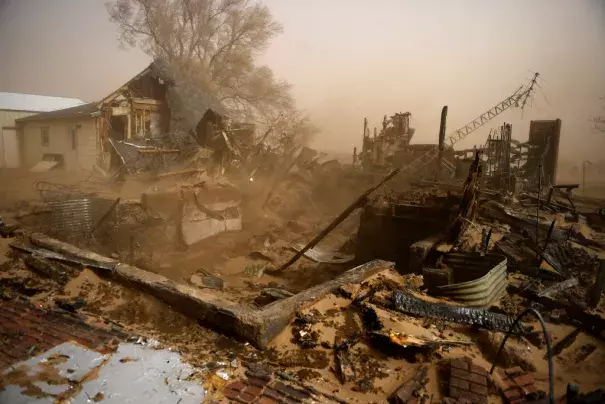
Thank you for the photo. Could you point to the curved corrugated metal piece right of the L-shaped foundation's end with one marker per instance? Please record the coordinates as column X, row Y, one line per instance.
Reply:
column 480, row 279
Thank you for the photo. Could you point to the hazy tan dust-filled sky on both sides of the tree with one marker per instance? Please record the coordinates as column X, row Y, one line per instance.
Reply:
column 350, row 59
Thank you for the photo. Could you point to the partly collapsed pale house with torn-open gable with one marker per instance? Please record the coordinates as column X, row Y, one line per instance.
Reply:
column 135, row 116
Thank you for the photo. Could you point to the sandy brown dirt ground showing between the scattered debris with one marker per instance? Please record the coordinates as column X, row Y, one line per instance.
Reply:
column 239, row 258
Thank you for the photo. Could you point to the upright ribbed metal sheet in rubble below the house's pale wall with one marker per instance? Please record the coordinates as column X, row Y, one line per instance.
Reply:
column 76, row 218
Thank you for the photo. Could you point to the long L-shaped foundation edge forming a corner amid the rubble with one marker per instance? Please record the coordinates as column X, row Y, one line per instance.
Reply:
column 209, row 307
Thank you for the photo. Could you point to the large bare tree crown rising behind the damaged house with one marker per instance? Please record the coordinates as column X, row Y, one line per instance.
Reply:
column 215, row 42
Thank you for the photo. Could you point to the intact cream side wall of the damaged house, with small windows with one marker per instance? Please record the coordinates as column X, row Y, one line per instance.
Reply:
column 84, row 157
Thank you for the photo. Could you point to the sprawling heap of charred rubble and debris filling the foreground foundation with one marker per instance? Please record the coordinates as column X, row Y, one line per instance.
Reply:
column 417, row 306
